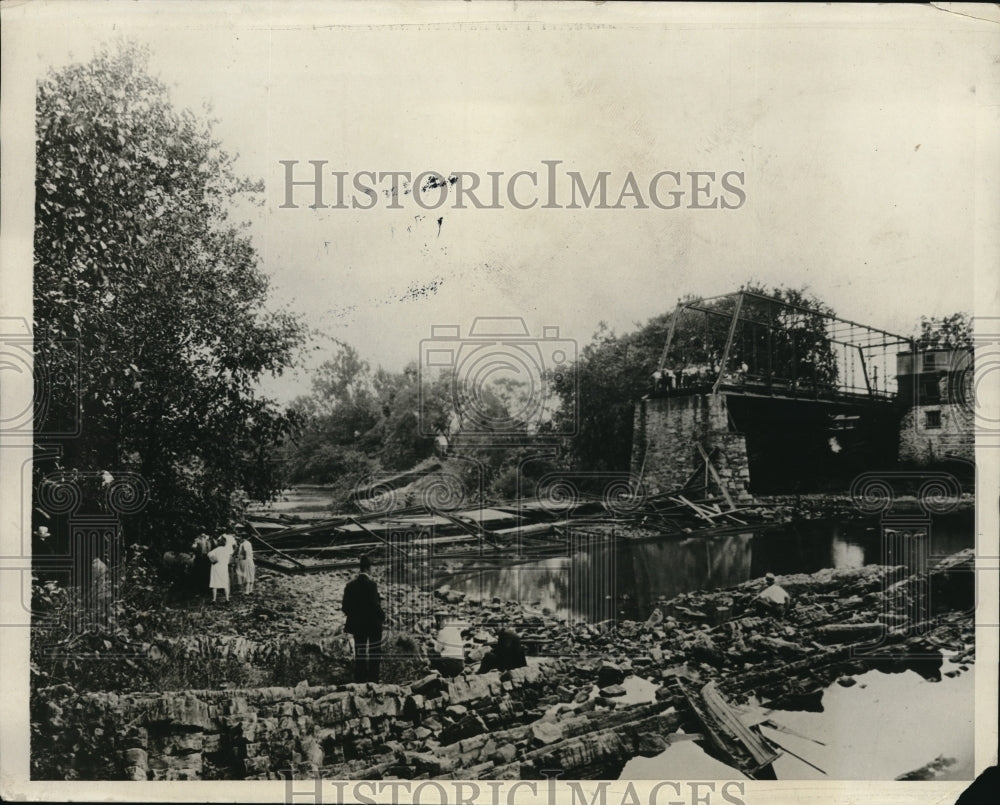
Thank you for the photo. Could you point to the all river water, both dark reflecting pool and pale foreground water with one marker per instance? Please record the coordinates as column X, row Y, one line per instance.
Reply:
column 877, row 729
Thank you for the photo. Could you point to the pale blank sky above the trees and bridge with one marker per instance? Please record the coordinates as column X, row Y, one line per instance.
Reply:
column 858, row 134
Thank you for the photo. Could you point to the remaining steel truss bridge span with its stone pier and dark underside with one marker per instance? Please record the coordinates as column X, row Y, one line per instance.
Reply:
column 764, row 395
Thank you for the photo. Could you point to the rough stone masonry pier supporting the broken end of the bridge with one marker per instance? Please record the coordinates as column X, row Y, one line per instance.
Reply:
column 666, row 433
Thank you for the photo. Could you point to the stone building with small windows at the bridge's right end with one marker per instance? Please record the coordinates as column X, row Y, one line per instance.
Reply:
column 935, row 393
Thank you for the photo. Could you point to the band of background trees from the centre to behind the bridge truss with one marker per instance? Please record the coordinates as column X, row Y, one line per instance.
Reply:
column 361, row 424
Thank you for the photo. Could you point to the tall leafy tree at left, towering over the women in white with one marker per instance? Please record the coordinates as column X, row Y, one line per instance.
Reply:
column 138, row 262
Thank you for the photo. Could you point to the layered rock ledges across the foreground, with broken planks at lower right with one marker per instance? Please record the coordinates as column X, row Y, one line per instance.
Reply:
column 564, row 710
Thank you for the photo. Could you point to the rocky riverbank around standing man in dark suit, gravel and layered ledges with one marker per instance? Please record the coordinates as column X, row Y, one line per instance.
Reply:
column 564, row 711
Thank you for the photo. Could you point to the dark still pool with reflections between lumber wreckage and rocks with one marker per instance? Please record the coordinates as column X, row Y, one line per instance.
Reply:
column 602, row 578
